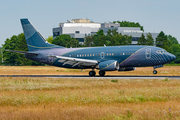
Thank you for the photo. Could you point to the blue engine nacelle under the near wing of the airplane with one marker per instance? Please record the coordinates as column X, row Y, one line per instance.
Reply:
column 110, row 65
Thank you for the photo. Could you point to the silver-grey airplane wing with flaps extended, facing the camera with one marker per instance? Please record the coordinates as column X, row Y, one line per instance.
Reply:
column 75, row 61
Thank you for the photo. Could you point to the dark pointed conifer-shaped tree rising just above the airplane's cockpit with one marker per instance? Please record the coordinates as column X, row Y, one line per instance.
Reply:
column 161, row 41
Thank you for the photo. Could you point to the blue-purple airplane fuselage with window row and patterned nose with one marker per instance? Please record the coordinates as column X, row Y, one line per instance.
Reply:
column 126, row 56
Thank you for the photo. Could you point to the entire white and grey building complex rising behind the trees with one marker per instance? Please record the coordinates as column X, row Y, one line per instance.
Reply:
column 80, row 28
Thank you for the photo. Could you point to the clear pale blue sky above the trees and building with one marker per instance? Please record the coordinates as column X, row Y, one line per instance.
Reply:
column 154, row 15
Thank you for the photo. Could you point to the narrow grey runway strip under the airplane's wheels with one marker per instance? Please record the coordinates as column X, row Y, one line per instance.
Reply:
column 96, row 77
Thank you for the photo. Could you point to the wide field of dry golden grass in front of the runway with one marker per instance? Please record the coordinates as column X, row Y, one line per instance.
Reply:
column 50, row 98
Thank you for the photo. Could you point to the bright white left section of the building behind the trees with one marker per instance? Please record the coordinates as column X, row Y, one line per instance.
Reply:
column 77, row 28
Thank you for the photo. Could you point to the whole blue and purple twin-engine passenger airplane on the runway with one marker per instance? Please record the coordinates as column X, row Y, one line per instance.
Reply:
column 106, row 58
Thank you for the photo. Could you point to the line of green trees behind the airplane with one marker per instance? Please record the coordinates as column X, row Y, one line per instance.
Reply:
column 112, row 38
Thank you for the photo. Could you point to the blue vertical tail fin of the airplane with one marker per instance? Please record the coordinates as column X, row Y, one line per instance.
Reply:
column 34, row 39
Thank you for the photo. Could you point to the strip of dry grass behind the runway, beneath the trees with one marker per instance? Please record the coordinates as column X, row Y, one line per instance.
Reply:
column 50, row 70
